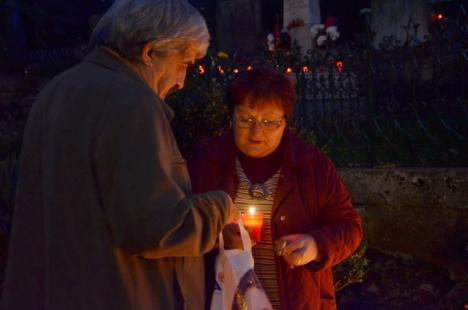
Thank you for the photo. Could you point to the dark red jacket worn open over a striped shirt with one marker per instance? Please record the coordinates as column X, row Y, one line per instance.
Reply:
column 310, row 198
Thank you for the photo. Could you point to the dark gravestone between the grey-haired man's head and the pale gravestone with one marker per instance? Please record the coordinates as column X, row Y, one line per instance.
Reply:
column 239, row 27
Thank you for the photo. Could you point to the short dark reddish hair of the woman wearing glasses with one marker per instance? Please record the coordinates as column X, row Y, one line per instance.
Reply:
column 261, row 84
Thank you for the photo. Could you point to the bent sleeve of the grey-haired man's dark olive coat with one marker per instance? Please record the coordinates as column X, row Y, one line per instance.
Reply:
column 148, row 212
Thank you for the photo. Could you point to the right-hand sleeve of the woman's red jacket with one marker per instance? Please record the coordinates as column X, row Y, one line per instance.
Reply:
column 340, row 232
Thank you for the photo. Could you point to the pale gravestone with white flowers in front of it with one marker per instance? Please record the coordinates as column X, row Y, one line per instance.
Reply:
column 307, row 11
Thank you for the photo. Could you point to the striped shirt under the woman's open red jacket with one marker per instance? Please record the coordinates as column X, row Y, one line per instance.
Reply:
column 263, row 251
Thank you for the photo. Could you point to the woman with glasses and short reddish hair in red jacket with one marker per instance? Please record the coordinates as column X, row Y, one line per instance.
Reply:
column 309, row 222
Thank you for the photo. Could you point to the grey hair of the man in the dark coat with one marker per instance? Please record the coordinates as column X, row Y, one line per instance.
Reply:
column 172, row 27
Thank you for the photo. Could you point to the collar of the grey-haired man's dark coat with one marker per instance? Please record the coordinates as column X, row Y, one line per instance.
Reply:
column 102, row 57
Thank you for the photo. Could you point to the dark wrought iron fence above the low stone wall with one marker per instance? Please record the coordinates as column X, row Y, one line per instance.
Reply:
column 400, row 104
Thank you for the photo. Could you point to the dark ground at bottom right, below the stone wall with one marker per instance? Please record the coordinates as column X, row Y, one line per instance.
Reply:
column 394, row 282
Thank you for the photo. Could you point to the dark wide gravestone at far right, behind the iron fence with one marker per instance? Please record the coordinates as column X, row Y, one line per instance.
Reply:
column 391, row 17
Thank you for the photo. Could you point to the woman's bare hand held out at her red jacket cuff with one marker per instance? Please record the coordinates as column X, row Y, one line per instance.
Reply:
column 297, row 249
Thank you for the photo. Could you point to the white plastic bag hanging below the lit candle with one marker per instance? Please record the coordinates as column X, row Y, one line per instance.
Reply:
column 237, row 287
